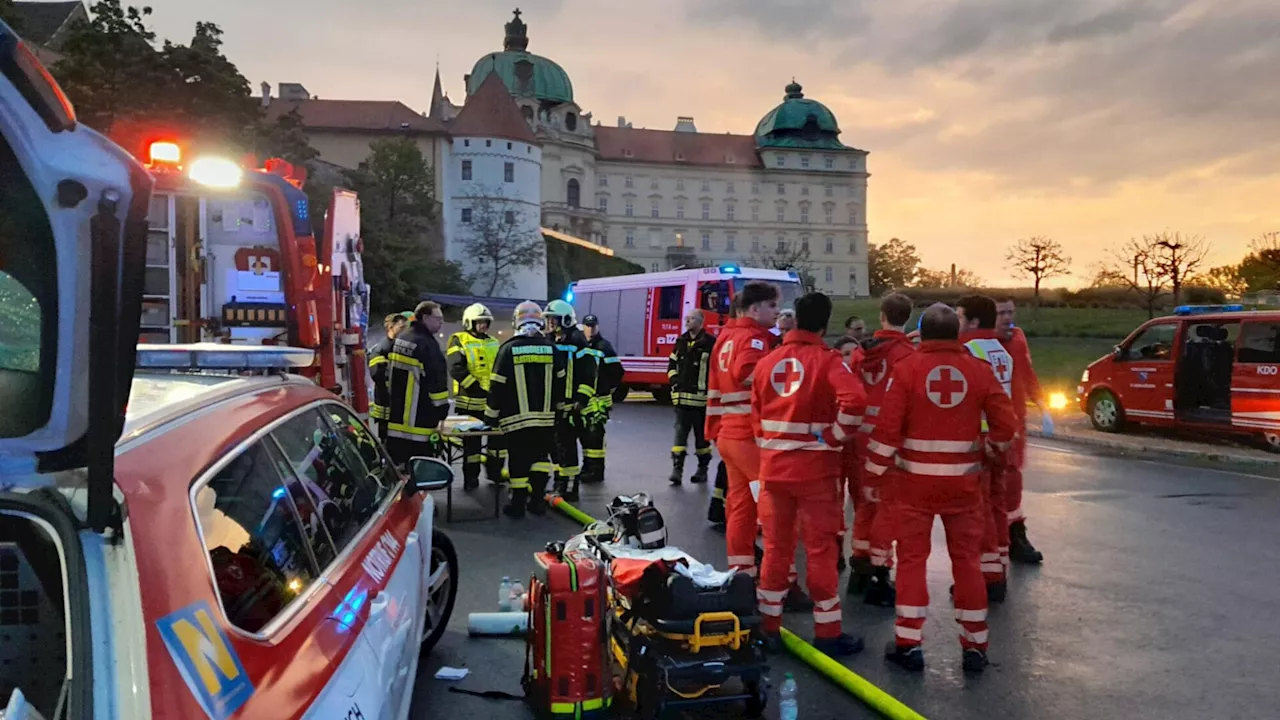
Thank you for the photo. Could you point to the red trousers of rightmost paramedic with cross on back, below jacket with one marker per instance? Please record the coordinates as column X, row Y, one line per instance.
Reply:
column 964, row 532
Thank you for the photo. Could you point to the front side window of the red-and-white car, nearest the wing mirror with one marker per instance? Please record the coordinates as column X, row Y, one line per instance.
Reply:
column 333, row 476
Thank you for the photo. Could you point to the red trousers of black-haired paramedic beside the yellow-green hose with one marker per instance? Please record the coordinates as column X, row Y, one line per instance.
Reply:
column 811, row 509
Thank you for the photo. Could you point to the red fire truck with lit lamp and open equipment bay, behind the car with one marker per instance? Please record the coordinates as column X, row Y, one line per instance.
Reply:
column 234, row 257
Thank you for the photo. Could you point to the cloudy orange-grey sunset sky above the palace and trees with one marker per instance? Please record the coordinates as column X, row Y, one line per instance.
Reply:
column 1089, row 121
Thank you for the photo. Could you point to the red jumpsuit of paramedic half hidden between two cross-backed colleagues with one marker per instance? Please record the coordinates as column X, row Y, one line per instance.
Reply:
column 874, row 528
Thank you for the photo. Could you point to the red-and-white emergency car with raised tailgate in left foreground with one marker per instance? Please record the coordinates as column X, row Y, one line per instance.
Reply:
column 180, row 540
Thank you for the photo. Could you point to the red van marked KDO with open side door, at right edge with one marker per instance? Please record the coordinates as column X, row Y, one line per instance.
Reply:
column 1206, row 368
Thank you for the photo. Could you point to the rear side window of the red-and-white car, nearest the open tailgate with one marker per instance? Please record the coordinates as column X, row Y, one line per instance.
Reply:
column 254, row 539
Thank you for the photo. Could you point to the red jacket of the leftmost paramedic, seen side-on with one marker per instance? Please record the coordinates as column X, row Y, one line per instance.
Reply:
column 742, row 344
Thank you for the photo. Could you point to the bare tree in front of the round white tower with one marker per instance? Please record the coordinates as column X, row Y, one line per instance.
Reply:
column 502, row 238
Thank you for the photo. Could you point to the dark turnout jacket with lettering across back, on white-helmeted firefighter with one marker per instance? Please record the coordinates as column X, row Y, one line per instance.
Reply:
column 527, row 385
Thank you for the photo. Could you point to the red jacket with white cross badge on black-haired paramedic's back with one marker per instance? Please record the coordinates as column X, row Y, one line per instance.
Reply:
column 806, row 404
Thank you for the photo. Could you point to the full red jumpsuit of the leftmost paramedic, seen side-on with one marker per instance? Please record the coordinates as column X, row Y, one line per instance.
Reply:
column 742, row 344
